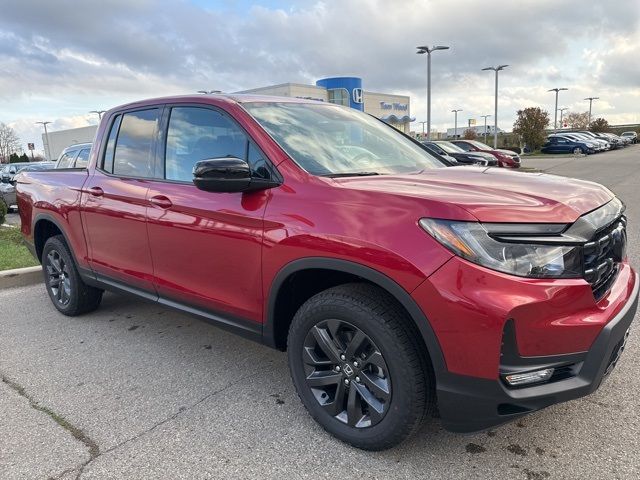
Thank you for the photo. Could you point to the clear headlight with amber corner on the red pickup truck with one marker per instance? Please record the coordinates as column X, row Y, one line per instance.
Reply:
column 471, row 241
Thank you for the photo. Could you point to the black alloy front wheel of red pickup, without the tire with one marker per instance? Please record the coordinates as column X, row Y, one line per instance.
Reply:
column 347, row 373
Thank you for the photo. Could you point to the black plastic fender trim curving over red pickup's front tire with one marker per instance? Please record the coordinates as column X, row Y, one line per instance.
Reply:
column 375, row 277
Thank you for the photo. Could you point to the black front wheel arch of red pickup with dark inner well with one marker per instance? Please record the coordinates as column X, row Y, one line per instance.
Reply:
column 275, row 327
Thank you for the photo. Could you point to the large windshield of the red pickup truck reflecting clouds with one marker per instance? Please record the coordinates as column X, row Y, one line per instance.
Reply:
column 331, row 140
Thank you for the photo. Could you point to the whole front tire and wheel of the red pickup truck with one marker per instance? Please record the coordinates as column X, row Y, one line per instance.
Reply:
column 391, row 364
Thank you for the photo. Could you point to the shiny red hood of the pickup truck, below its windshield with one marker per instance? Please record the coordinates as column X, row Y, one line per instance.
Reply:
column 492, row 194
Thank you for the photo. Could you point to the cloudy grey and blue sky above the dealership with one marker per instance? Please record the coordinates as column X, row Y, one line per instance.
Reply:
column 59, row 60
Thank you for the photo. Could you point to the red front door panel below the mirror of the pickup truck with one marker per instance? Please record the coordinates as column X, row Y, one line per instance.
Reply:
column 207, row 248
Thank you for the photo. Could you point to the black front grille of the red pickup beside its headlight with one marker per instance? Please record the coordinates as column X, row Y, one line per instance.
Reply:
column 602, row 257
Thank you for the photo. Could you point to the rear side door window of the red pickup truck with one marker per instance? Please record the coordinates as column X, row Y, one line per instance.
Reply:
column 134, row 146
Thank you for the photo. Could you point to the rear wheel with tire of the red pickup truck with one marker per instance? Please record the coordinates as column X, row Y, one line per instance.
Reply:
column 68, row 293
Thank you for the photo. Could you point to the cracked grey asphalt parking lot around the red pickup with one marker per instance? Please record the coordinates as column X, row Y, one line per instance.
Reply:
column 137, row 391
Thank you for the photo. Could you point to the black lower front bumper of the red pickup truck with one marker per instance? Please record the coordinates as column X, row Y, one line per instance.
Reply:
column 470, row 404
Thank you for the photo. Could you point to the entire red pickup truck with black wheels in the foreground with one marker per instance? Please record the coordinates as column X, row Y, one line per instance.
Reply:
column 396, row 283
